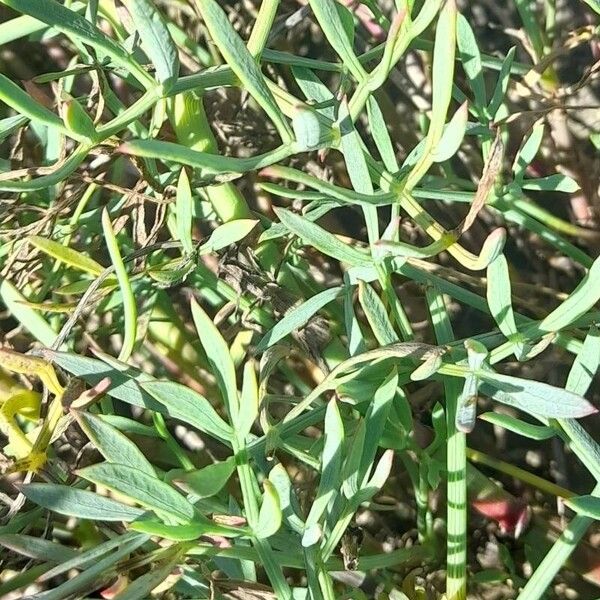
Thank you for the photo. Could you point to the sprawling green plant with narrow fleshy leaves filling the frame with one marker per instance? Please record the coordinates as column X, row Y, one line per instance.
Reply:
column 305, row 354
